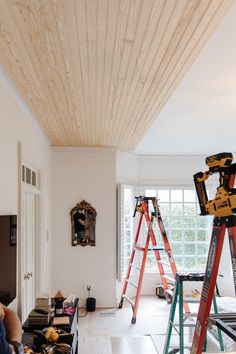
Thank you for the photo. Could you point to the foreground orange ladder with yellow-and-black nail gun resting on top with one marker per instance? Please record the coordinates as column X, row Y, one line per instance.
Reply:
column 223, row 207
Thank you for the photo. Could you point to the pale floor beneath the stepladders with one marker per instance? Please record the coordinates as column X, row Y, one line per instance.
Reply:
column 109, row 331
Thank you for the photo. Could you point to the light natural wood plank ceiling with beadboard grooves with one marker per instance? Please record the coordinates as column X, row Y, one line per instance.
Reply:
column 98, row 72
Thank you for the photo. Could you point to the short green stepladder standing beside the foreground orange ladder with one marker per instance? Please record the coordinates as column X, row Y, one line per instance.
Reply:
column 178, row 297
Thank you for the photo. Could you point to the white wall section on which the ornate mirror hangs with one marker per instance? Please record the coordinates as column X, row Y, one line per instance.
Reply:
column 88, row 174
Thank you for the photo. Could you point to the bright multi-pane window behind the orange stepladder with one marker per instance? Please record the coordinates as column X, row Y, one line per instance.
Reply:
column 187, row 231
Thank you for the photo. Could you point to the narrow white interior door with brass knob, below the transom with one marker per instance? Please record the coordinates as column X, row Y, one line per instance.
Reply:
column 28, row 247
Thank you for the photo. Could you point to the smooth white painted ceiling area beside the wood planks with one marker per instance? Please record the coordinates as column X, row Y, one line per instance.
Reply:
column 200, row 116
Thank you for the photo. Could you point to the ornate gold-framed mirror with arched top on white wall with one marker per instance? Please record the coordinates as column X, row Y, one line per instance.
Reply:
column 83, row 221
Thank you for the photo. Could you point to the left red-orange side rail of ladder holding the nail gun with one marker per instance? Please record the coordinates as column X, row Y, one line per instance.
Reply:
column 209, row 283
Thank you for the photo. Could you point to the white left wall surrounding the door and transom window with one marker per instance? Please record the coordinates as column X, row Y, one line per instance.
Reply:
column 17, row 124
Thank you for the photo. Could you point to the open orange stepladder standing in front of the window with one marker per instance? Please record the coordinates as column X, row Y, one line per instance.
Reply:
column 148, row 209
